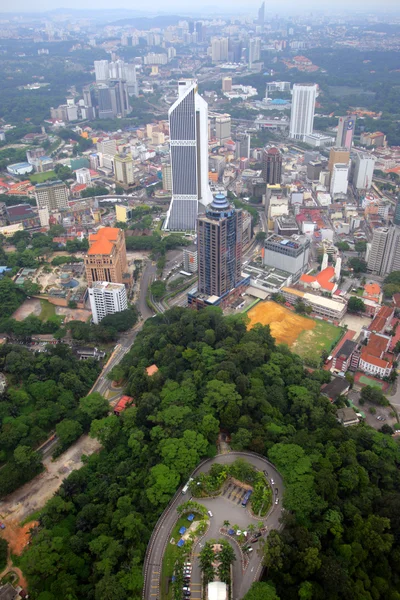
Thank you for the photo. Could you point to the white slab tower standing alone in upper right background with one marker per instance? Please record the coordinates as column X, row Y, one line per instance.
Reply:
column 303, row 108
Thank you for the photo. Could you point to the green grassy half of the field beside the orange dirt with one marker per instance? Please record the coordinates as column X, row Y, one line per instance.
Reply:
column 312, row 342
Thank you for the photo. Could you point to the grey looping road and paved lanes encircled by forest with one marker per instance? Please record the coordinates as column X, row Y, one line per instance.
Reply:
column 222, row 509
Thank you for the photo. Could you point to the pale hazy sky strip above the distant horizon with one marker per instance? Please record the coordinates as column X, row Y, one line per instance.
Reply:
column 185, row 7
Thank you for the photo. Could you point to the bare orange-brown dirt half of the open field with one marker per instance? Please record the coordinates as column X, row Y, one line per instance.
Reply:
column 286, row 326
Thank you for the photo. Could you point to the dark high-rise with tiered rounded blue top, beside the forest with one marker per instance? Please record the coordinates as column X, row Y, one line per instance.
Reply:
column 219, row 244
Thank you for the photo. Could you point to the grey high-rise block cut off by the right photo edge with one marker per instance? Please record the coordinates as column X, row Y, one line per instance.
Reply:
column 384, row 254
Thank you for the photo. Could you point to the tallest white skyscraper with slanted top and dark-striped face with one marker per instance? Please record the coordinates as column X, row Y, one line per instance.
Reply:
column 188, row 130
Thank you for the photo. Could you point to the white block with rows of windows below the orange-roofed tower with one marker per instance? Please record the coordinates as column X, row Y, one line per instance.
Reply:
column 106, row 299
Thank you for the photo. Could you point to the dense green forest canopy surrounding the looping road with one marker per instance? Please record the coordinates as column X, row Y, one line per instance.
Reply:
column 342, row 526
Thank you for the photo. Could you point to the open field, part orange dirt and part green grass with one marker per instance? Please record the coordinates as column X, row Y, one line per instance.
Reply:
column 306, row 337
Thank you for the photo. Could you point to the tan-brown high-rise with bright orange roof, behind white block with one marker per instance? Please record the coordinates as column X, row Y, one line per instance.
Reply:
column 106, row 258
